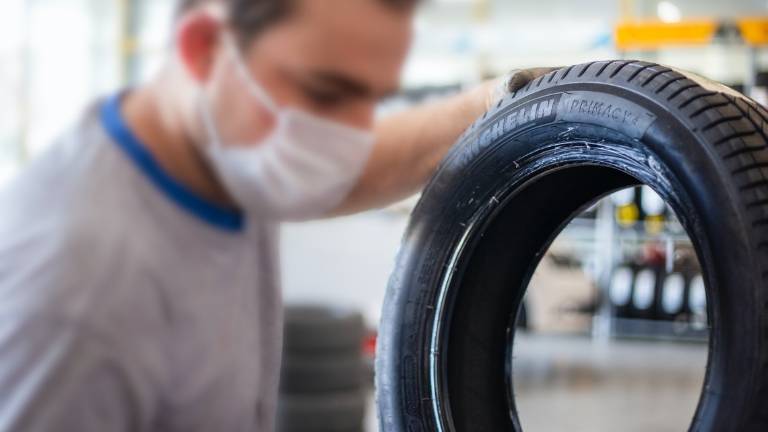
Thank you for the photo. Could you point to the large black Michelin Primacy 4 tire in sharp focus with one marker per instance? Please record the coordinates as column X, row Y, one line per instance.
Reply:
column 511, row 184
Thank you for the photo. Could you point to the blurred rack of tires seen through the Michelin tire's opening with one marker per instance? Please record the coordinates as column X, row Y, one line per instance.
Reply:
column 660, row 282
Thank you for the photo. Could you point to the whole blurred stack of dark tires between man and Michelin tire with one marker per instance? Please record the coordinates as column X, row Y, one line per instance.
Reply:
column 323, row 382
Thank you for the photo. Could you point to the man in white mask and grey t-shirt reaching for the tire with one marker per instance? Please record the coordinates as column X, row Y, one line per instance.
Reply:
column 138, row 285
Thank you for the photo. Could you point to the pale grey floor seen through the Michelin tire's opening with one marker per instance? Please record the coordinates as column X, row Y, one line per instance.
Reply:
column 574, row 384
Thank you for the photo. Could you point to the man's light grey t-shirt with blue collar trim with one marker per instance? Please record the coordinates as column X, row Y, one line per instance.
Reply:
column 127, row 303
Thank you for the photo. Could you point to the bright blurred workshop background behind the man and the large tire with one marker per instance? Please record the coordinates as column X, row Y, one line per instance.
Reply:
column 615, row 332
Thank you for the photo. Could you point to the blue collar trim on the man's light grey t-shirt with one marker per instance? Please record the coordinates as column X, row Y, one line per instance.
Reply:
column 116, row 127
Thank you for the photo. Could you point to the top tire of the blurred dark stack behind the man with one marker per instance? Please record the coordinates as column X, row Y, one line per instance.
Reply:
column 318, row 329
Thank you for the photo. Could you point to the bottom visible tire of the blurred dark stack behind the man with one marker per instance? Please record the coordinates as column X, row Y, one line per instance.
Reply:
column 332, row 412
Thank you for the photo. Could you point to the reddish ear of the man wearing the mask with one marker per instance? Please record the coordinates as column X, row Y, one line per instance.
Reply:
column 197, row 40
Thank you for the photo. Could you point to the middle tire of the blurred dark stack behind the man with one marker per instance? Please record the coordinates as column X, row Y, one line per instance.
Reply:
column 319, row 374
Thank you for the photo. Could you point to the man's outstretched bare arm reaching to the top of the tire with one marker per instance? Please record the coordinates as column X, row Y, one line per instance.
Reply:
column 411, row 144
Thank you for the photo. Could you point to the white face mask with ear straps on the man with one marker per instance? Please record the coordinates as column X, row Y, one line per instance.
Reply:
column 304, row 169
